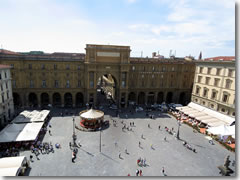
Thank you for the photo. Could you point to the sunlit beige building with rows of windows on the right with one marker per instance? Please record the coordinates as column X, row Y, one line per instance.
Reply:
column 214, row 84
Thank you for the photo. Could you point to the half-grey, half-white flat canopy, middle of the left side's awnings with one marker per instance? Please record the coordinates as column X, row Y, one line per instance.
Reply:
column 20, row 132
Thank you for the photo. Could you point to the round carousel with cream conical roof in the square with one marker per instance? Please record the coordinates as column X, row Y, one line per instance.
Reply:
column 91, row 118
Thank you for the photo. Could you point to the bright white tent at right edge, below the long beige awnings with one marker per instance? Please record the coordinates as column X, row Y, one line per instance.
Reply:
column 222, row 130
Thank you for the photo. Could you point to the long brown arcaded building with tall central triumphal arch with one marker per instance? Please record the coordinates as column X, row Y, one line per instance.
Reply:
column 70, row 79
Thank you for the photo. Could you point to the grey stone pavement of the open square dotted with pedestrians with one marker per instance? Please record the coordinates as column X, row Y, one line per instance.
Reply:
column 171, row 154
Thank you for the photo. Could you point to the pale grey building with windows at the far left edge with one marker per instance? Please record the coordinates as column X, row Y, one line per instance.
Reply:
column 6, row 98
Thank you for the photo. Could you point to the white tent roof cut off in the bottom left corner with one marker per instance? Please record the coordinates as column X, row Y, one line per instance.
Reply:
column 11, row 166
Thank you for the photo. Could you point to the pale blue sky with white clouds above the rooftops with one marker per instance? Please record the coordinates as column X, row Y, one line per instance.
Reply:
column 184, row 27
